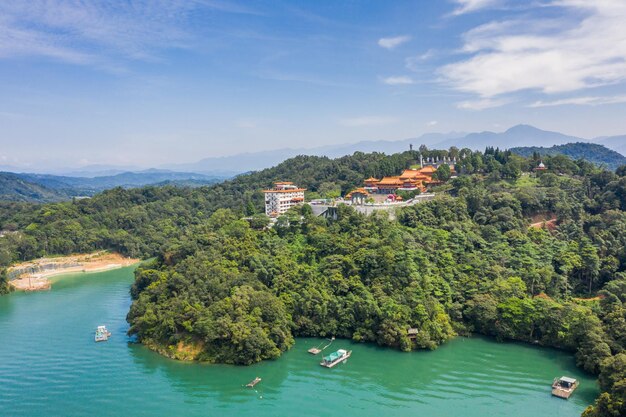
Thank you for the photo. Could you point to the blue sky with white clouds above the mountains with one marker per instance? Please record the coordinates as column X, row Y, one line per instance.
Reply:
column 153, row 82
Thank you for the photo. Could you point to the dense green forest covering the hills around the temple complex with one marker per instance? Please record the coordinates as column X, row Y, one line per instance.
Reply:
column 225, row 289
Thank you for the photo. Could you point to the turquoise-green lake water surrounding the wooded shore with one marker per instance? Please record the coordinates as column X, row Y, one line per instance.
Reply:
column 51, row 366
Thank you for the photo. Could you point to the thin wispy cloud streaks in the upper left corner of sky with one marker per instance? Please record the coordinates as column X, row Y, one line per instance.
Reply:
column 93, row 32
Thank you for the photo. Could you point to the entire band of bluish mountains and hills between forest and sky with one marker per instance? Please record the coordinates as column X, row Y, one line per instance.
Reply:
column 87, row 181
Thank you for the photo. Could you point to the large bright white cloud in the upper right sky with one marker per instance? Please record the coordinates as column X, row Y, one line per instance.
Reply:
column 584, row 48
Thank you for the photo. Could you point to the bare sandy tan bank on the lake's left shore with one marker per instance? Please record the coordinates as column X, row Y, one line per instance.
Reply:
column 33, row 275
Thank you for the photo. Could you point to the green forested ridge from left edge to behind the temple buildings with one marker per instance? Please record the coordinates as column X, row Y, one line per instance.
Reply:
column 140, row 221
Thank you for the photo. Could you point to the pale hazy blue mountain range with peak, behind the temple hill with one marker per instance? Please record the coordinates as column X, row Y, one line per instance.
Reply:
column 517, row 136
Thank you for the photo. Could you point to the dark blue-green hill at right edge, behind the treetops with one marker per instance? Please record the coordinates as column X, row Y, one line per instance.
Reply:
column 597, row 154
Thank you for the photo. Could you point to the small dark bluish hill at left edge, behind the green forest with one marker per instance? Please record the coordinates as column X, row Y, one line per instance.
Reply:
column 15, row 188
